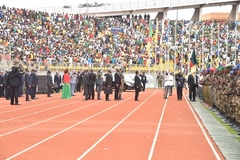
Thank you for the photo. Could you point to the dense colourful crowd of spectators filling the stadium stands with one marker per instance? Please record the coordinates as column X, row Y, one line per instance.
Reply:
column 27, row 35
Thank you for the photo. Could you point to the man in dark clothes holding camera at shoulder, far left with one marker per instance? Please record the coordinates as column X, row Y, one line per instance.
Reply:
column 14, row 82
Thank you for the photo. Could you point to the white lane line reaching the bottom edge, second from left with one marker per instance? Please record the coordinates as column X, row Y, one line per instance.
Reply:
column 95, row 144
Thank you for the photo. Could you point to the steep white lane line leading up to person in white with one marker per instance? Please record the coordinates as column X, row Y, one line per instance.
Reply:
column 157, row 132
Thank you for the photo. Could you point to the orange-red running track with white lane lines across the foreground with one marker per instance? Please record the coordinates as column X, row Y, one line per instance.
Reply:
column 152, row 128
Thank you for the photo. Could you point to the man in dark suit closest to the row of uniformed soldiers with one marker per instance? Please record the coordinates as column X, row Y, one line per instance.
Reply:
column 192, row 85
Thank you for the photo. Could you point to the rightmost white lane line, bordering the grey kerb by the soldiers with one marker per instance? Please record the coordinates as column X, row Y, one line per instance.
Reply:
column 203, row 131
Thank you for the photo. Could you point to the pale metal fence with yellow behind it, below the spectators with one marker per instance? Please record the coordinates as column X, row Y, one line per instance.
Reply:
column 42, row 67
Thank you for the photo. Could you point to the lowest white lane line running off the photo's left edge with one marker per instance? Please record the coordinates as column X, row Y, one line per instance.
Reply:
column 60, row 115
